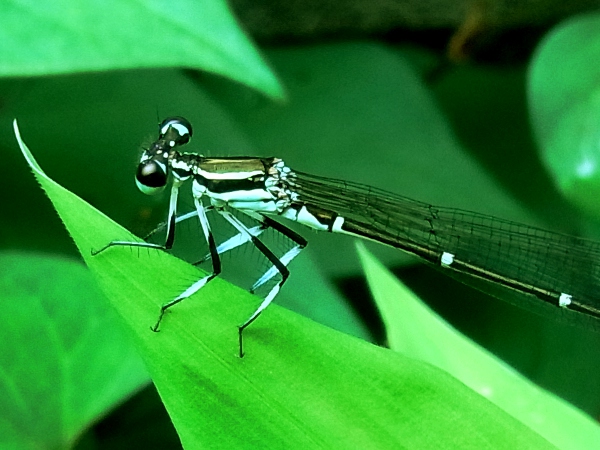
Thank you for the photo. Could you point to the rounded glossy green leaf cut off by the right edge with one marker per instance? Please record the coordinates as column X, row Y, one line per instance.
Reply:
column 564, row 96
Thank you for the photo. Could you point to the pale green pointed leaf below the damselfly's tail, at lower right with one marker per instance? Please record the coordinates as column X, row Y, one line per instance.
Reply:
column 416, row 331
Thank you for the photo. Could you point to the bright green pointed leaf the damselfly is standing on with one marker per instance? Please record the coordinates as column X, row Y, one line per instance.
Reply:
column 299, row 384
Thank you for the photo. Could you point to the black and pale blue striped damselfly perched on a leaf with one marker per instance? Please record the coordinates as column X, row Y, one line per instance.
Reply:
column 558, row 269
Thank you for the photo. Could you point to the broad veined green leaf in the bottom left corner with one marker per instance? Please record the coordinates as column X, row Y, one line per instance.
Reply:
column 65, row 359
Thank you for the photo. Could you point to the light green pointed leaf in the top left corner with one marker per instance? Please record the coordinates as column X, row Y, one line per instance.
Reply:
column 61, row 36
